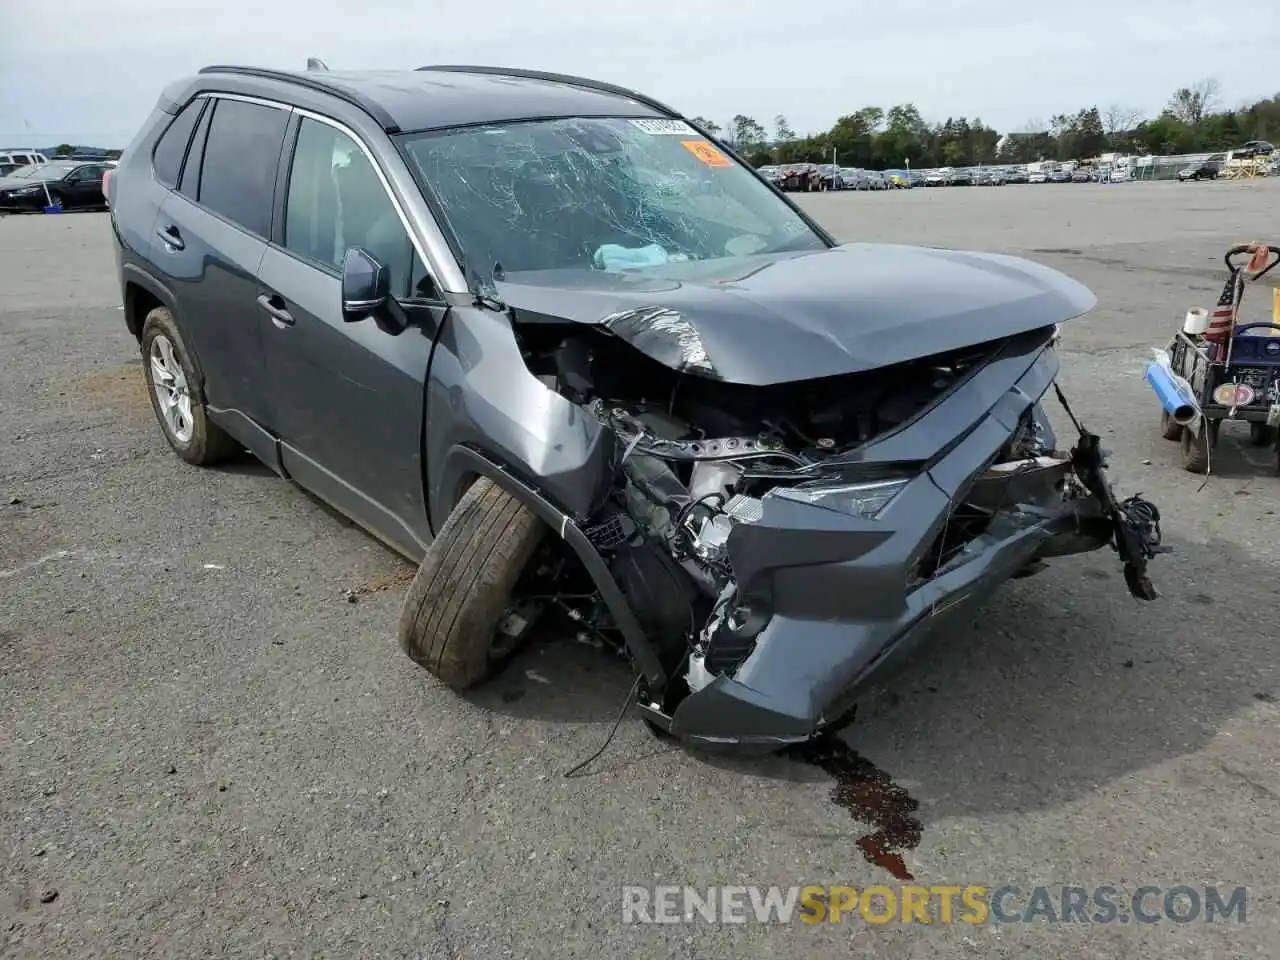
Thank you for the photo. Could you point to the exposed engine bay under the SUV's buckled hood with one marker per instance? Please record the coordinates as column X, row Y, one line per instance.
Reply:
column 696, row 458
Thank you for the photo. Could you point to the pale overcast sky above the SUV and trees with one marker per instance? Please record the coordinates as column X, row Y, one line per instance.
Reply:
column 89, row 71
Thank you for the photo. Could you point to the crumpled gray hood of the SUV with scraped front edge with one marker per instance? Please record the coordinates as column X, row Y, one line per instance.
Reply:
column 796, row 317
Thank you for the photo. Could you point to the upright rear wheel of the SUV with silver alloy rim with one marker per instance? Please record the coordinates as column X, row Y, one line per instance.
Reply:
column 173, row 387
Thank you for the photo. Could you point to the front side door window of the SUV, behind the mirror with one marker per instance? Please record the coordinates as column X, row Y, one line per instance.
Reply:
column 337, row 202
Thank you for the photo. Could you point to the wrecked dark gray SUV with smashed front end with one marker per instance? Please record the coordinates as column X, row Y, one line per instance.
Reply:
column 572, row 355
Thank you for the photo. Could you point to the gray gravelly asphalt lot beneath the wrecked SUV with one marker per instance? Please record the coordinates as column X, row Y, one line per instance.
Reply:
column 208, row 751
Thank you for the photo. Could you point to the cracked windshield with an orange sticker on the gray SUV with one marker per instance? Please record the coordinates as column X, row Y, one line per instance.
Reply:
column 600, row 194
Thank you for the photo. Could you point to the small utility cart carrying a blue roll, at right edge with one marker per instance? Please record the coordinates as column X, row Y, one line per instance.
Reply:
column 1223, row 368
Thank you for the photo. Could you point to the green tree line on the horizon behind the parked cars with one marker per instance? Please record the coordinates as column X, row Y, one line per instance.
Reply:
column 1192, row 121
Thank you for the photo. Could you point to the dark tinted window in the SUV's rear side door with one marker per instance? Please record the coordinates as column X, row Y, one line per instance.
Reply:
column 243, row 154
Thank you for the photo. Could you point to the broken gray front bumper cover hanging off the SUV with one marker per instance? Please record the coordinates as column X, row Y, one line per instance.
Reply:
column 839, row 597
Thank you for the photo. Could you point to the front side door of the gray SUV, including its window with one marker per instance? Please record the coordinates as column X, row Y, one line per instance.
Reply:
column 349, row 390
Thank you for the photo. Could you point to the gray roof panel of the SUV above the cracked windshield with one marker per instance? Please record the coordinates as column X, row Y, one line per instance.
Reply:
column 449, row 97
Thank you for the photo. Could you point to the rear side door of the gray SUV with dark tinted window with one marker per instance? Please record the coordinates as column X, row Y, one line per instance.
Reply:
column 209, row 241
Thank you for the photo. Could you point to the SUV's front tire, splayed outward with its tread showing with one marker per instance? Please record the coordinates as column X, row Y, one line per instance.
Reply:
column 463, row 591
